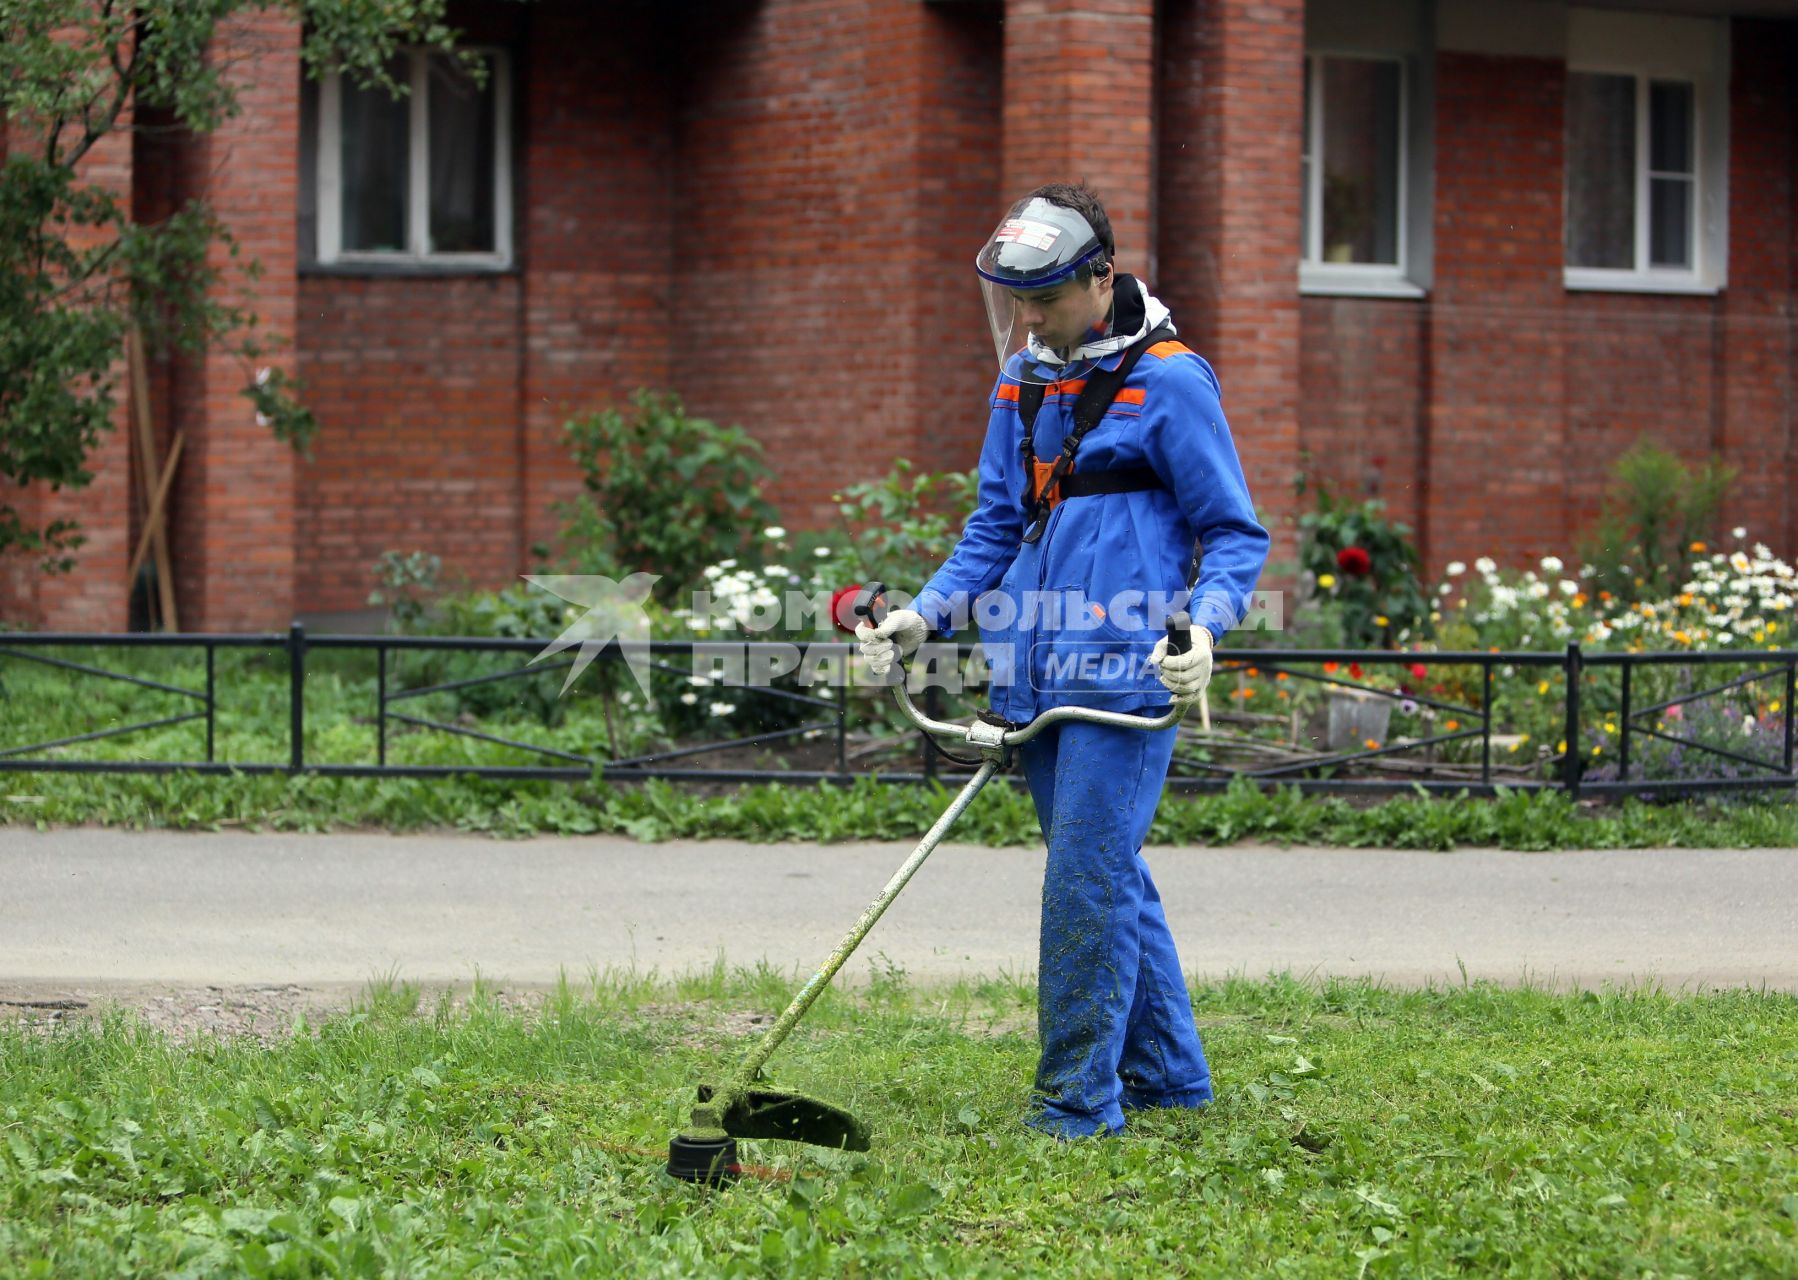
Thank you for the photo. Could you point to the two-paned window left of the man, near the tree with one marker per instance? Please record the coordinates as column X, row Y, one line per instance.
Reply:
column 422, row 179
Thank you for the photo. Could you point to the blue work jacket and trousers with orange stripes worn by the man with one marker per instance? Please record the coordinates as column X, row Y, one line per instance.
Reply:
column 1069, row 621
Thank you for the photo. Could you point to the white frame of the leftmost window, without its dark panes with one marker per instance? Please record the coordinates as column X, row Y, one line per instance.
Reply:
column 418, row 253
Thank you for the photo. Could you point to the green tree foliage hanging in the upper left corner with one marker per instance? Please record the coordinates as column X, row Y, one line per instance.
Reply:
column 76, row 271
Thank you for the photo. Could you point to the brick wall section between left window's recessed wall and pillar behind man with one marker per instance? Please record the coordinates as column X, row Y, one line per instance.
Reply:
column 812, row 285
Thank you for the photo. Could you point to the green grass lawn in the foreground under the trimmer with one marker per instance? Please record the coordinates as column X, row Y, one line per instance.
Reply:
column 1358, row 1132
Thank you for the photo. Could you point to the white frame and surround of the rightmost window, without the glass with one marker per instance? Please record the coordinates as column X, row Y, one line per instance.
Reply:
column 1668, row 49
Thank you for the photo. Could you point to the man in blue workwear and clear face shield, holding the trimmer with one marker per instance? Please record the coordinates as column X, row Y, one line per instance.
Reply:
column 1081, row 544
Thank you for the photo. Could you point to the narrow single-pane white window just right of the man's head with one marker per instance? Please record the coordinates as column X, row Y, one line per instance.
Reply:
column 1353, row 173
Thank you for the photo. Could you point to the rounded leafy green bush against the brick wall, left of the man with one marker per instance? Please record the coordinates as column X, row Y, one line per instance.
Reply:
column 666, row 493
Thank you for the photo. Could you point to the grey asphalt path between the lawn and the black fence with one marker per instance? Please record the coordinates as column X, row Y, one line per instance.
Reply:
column 107, row 907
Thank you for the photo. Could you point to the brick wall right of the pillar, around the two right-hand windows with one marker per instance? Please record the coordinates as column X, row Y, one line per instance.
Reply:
column 1531, row 391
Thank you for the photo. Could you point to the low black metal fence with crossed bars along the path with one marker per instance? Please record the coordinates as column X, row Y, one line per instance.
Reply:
column 1202, row 765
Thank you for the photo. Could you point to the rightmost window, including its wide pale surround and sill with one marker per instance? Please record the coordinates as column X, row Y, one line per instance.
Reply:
column 1646, row 129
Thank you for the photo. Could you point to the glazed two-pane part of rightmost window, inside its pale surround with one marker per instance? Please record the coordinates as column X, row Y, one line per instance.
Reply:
column 1632, row 163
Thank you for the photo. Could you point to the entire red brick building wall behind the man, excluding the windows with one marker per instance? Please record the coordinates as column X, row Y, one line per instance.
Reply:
column 772, row 208
